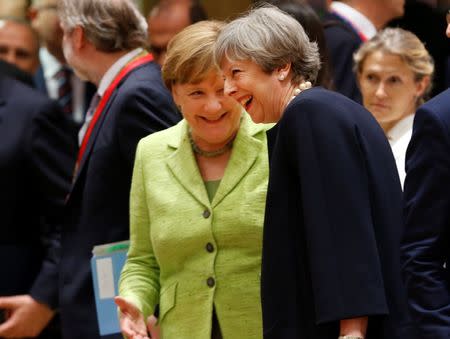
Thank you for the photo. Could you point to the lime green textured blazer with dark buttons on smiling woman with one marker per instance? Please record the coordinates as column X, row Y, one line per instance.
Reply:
column 172, row 222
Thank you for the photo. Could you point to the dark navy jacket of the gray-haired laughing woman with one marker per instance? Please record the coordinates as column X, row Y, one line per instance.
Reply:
column 331, row 247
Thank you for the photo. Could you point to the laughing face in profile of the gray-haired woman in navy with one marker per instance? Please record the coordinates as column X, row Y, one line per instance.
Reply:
column 261, row 94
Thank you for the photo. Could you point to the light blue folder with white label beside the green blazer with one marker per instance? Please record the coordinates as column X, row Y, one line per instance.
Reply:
column 106, row 265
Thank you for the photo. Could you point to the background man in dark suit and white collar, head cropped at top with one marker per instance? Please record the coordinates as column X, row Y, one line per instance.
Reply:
column 348, row 24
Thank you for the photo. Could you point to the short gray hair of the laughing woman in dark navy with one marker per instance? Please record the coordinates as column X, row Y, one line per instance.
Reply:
column 271, row 38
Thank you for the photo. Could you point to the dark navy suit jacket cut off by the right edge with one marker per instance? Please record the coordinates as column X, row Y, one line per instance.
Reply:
column 426, row 243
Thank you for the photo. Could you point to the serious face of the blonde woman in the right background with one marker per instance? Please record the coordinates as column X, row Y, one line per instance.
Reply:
column 389, row 88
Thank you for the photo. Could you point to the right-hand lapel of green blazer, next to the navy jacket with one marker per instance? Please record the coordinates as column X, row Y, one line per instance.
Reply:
column 245, row 151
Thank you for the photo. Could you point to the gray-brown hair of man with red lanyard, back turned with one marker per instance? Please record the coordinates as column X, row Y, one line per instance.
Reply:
column 111, row 25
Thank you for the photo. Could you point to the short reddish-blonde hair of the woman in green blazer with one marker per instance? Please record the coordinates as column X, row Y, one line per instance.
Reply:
column 190, row 53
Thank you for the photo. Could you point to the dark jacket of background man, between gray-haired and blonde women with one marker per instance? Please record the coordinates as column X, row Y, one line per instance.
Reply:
column 342, row 41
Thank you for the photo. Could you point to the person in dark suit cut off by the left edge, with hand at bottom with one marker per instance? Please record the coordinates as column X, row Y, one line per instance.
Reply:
column 37, row 154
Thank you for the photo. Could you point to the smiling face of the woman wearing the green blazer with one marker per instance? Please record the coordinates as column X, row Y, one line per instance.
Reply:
column 213, row 117
